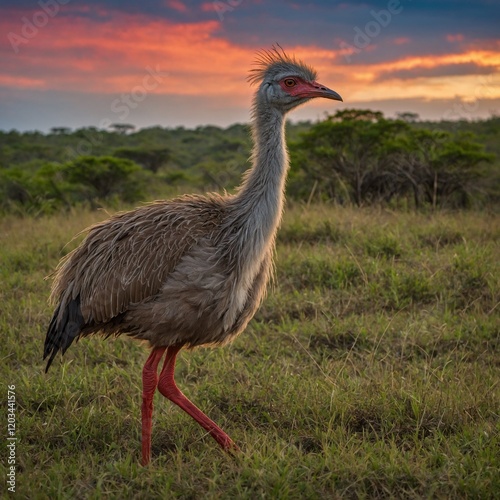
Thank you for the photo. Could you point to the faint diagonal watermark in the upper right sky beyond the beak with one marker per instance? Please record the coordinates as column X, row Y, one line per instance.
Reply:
column 363, row 37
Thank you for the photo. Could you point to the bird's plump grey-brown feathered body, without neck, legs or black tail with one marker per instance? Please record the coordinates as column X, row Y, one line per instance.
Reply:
column 203, row 294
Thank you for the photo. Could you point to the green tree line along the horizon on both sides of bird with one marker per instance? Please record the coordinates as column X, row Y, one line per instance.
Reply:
column 352, row 157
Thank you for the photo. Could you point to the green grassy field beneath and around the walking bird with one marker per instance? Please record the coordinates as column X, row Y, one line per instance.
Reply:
column 372, row 370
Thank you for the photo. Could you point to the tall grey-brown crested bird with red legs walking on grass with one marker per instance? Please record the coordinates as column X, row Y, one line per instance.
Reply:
column 189, row 271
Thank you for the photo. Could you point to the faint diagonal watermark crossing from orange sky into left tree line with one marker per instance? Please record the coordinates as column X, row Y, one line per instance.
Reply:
column 122, row 107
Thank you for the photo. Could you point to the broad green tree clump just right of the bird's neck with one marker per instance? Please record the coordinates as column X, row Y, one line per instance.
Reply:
column 360, row 155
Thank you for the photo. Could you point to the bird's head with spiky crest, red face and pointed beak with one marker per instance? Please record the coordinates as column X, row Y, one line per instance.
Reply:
column 285, row 82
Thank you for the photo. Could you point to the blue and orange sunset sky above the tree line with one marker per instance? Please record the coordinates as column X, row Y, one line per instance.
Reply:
column 185, row 62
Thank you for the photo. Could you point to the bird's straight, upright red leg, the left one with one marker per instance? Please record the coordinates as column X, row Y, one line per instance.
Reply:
column 149, row 383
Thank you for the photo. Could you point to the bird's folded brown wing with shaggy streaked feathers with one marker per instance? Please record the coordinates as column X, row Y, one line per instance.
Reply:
column 126, row 259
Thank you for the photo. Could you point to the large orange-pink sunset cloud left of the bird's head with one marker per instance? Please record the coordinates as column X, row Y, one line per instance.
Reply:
column 112, row 56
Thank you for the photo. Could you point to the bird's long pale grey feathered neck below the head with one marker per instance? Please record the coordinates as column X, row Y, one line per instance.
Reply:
column 259, row 200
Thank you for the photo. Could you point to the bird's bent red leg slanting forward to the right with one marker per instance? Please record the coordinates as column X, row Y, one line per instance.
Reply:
column 167, row 387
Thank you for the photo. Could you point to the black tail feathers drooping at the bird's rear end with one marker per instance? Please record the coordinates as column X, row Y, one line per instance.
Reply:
column 61, row 334
